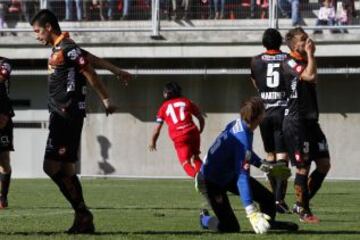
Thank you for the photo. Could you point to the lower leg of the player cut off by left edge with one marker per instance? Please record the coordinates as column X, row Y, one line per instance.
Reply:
column 5, row 178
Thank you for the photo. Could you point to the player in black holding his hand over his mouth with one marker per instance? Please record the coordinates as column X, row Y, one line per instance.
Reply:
column 304, row 137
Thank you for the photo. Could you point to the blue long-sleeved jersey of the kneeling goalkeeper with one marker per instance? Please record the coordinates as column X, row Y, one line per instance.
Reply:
column 229, row 158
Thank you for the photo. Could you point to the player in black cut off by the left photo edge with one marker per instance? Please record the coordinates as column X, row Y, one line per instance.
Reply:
column 6, row 131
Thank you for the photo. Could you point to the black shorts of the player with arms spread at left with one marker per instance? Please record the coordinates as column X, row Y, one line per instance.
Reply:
column 64, row 138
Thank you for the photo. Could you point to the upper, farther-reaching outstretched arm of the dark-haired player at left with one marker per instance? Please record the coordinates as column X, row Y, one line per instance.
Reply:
column 101, row 63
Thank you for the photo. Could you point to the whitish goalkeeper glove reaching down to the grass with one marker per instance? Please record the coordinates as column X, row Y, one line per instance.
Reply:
column 258, row 220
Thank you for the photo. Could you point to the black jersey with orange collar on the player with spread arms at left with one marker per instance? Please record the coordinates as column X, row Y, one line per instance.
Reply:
column 67, row 84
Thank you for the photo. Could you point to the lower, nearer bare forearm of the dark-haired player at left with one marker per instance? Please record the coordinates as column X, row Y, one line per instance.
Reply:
column 99, row 88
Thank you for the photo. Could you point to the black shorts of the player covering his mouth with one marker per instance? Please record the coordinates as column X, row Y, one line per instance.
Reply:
column 304, row 141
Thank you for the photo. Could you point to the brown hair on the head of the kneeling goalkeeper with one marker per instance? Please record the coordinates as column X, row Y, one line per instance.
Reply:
column 251, row 109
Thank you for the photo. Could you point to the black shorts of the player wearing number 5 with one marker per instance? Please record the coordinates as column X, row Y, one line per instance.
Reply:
column 272, row 132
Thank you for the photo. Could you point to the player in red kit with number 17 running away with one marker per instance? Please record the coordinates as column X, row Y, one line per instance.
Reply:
column 177, row 112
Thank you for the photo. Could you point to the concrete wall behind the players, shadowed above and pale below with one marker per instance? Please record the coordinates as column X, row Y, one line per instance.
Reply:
column 117, row 145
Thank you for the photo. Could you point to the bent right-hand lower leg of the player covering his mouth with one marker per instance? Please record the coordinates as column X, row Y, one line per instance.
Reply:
column 317, row 177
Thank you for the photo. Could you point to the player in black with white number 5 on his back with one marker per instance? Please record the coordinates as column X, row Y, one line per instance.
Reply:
column 267, row 77
